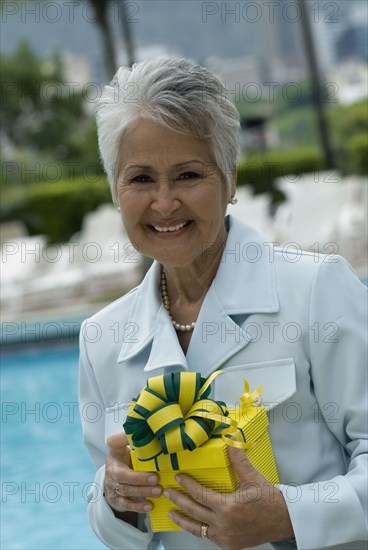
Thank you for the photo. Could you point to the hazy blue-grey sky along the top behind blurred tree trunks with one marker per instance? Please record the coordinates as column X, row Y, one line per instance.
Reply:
column 193, row 28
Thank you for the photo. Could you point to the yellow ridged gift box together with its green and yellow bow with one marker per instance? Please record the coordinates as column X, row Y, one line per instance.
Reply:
column 172, row 426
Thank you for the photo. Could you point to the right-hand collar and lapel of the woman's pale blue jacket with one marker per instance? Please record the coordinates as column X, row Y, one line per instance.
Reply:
column 245, row 283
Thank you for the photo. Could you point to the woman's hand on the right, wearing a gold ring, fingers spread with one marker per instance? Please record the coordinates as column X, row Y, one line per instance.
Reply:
column 254, row 514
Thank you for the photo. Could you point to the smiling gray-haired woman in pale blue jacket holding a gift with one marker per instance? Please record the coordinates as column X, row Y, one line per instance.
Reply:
column 219, row 296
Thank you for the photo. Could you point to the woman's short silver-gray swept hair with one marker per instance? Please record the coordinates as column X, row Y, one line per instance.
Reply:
column 175, row 93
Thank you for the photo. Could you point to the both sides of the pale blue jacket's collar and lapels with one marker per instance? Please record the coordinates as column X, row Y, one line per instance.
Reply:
column 245, row 283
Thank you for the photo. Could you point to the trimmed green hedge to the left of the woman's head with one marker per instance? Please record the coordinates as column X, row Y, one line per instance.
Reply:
column 57, row 209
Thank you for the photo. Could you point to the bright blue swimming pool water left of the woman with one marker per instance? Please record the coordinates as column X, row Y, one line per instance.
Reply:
column 45, row 470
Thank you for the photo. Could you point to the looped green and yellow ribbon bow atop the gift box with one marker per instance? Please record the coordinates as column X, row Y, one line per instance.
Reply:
column 173, row 413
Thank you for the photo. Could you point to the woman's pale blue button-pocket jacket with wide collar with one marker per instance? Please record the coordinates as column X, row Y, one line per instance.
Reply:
column 292, row 322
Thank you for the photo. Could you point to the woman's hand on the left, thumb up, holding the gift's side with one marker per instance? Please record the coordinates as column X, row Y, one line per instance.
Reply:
column 125, row 489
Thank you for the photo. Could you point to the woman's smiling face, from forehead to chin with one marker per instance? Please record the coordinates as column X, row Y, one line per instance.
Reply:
column 171, row 194
